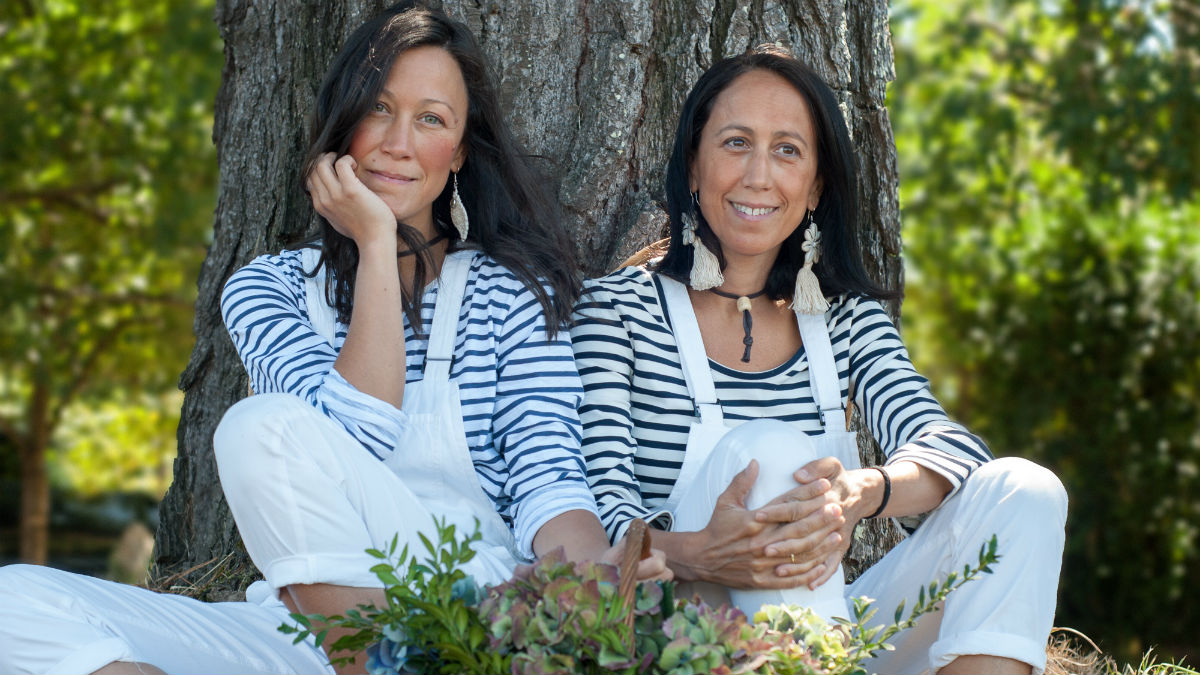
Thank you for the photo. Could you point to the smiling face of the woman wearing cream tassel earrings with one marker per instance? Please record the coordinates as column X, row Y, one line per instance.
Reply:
column 757, row 166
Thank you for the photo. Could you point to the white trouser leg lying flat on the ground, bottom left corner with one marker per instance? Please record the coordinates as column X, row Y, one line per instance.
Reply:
column 55, row 622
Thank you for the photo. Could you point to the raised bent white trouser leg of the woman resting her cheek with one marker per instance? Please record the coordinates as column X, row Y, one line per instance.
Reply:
column 309, row 500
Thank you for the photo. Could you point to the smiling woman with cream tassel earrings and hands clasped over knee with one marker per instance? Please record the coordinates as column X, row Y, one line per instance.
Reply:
column 719, row 385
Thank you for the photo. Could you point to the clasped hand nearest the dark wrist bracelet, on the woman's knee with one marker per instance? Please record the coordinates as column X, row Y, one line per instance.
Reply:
column 829, row 501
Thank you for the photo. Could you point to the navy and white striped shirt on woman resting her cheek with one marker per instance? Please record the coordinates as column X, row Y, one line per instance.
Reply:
column 520, row 391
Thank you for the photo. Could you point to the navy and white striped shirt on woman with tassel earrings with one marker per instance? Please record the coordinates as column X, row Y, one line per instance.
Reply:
column 637, row 410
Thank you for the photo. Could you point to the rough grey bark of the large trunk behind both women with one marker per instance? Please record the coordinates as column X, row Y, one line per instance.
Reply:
column 593, row 87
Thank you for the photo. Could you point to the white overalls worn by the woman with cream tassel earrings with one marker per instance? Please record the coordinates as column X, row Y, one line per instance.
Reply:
column 1006, row 614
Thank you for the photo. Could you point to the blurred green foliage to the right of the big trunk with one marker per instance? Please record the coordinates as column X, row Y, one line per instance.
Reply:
column 1048, row 159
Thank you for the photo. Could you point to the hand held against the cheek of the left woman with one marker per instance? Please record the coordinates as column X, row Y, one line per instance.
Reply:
column 350, row 206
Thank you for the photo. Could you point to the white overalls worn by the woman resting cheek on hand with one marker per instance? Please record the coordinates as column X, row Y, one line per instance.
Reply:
column 308, row 499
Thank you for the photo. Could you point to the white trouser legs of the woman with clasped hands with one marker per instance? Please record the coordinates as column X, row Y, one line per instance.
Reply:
column 1006, row 614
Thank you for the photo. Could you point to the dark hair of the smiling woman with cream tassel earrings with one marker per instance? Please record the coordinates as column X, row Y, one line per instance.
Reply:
column 841, row 267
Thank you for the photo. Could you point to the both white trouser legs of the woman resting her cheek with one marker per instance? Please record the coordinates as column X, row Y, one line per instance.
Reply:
column 309, row 501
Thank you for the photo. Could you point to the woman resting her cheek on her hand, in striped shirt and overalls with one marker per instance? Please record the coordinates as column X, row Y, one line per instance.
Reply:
column 411, row 368
